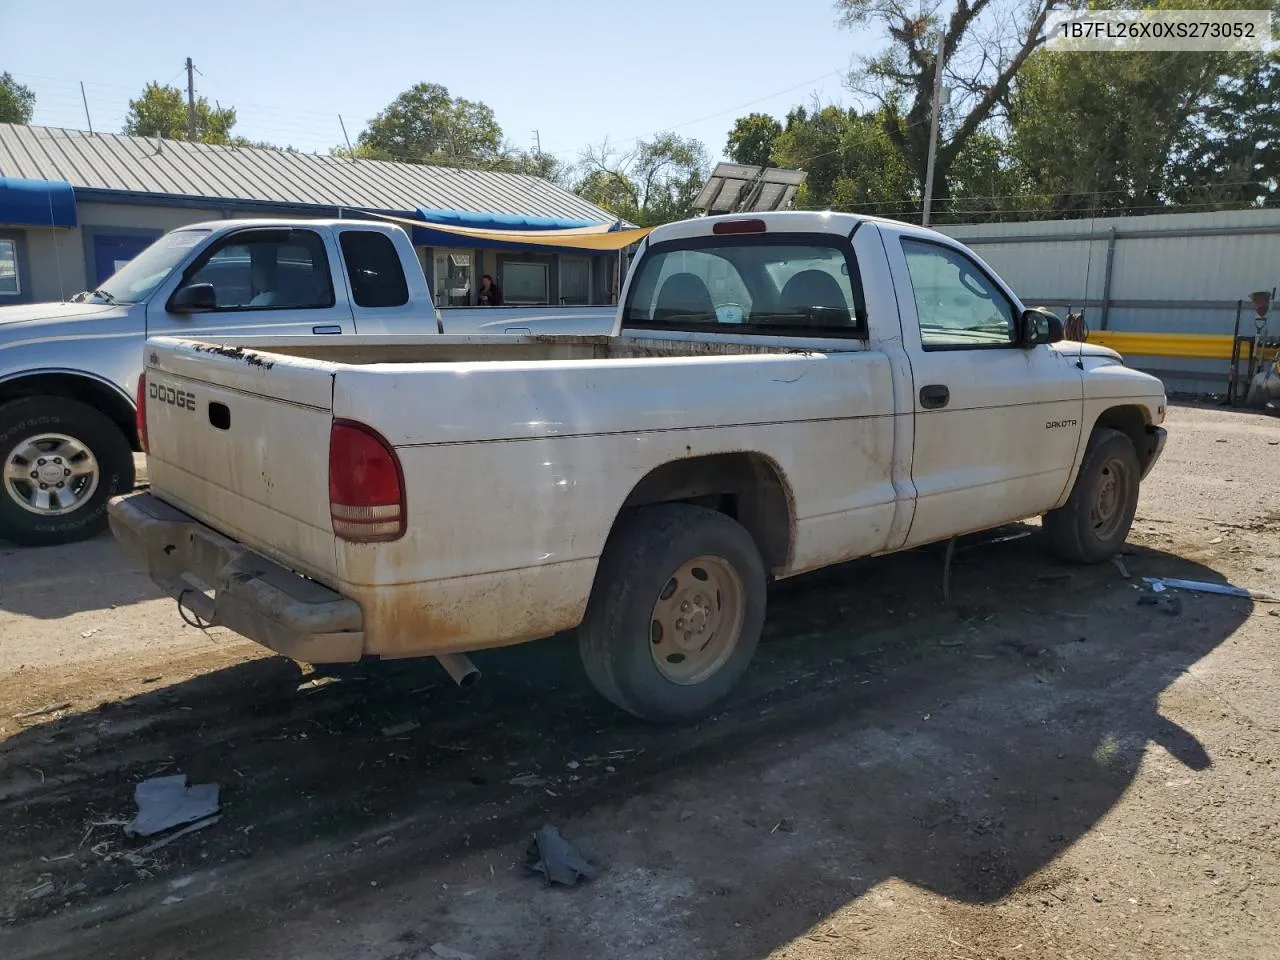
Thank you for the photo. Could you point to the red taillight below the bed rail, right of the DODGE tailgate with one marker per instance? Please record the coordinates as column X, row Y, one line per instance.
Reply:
column 367, row 486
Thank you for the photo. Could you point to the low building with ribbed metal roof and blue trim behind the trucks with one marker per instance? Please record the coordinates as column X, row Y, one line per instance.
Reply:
column 76, row 205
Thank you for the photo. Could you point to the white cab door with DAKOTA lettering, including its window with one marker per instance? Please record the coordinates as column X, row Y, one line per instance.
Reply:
column 996, row 424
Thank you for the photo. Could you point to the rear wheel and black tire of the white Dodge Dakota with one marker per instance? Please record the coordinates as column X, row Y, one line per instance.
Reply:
column 675, row 614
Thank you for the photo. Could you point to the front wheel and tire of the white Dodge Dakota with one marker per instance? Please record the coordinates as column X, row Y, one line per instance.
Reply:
column 1094, row 524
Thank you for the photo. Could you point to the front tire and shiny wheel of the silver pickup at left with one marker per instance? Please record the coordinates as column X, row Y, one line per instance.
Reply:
column 62, row 463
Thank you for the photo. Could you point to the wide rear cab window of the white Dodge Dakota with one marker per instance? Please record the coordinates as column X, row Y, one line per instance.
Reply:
column 781, row 285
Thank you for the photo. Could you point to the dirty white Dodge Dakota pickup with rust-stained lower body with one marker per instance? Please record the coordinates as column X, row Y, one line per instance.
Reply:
column 780, row 394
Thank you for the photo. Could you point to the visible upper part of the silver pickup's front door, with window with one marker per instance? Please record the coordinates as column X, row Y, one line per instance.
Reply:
column 267, row 282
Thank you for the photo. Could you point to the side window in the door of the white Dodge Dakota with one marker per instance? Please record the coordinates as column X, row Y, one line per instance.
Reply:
column 957, row 304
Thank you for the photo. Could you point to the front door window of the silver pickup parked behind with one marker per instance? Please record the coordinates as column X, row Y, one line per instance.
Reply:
column 268, row 271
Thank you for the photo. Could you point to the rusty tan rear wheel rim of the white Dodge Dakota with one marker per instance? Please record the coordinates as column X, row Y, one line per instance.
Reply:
column 697, row 620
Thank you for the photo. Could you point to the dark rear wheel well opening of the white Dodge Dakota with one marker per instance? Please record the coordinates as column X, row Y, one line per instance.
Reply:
column 747, row 487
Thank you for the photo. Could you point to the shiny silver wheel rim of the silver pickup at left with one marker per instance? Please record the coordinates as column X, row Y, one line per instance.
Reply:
column 51, row 476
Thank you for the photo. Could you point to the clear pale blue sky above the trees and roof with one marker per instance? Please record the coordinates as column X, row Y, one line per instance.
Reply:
column 575, row 71
